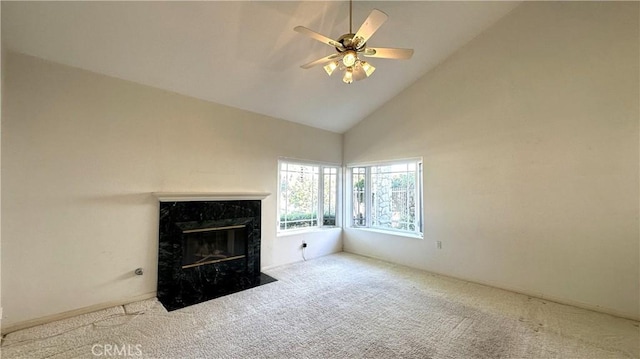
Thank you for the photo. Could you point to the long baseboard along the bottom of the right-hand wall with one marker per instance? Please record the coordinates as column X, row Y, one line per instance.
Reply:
column 541, row 296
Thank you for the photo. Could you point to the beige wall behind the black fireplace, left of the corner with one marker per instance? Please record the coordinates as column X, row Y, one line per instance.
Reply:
column 81, row 154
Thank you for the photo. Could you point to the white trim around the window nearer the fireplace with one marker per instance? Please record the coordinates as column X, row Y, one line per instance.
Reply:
column 339, row 191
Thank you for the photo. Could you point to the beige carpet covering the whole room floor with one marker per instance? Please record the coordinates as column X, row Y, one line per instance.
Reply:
column 340, row 306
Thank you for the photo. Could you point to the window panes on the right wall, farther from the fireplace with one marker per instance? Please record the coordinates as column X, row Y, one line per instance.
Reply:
column 388, row 196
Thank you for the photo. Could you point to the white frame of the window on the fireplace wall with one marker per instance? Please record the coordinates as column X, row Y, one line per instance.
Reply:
column 320, row 195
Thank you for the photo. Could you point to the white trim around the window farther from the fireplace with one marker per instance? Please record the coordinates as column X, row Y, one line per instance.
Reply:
column 348, row 208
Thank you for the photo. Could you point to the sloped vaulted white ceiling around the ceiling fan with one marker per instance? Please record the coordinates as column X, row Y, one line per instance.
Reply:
column 245, row 54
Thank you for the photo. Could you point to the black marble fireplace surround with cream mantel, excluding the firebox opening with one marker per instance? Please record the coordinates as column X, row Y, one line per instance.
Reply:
column 179, row 285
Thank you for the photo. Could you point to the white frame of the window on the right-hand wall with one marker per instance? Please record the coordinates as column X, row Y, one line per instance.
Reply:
column 419, row 193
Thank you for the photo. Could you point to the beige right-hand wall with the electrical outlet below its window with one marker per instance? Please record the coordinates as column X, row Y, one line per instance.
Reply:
column 530, row 142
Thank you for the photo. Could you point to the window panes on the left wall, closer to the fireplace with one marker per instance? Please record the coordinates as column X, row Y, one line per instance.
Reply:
column 308, row 195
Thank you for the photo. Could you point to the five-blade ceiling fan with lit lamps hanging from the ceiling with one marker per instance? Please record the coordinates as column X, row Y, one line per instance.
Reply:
column 349, row 46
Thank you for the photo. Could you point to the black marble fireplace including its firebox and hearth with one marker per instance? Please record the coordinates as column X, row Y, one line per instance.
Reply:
column 207, row 249
